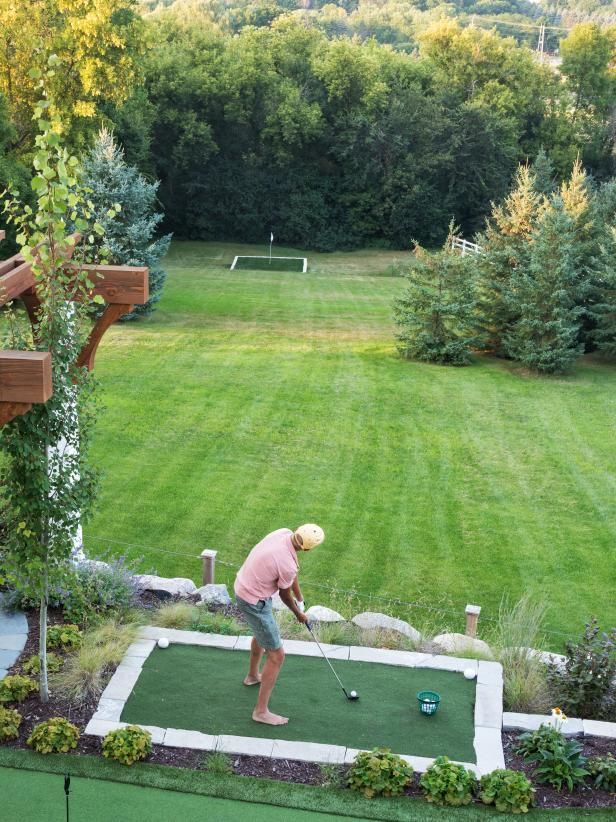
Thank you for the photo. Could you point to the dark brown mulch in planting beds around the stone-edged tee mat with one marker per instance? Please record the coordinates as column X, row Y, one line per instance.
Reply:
column 305, row 773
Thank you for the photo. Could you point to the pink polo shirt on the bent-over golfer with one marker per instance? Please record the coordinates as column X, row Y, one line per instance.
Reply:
column 272, row 564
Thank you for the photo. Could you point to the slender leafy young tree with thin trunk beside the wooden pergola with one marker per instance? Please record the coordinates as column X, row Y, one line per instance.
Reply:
column 48, row 483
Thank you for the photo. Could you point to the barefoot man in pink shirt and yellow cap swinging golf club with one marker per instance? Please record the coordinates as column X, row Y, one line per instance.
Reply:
column 271, row 566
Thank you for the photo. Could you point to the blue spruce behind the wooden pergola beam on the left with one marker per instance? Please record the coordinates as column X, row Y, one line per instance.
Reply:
column 130, row 235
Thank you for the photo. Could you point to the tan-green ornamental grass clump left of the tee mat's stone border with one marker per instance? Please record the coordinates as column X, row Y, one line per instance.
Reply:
column 84, row 673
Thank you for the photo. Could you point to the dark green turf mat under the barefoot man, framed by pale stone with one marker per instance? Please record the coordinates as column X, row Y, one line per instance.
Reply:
column 201, row 689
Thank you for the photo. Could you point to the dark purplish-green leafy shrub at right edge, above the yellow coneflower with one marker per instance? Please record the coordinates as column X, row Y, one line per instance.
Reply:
column 585, row 684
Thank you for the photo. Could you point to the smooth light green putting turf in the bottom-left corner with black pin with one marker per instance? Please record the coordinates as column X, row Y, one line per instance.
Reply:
column 39, row 797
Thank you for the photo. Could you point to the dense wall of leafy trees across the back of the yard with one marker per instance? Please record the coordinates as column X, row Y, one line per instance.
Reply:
column 331, row 139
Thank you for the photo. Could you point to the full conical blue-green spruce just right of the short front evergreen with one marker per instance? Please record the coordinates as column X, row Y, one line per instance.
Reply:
column 546, row 293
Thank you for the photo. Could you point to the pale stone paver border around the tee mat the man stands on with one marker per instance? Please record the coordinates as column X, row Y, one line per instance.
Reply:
column 488, row 701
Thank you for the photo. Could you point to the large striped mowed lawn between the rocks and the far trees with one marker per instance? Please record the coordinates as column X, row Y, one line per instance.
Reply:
column 255, row 400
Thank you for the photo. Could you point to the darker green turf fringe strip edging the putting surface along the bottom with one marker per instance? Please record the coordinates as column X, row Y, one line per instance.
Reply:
column 291, row 797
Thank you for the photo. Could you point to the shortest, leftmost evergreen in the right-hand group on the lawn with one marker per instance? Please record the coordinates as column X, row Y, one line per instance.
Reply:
column 436, row 314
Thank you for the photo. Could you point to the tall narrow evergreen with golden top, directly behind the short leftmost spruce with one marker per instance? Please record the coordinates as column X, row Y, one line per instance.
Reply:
column 505, row 247
